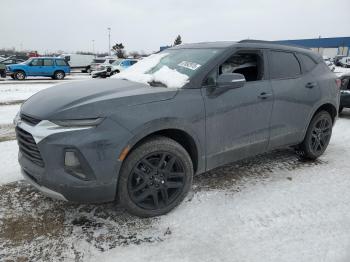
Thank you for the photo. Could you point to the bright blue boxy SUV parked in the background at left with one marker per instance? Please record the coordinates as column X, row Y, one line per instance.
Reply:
column 54, row 67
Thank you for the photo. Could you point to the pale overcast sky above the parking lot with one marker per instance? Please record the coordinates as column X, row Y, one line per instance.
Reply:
column 71, row 25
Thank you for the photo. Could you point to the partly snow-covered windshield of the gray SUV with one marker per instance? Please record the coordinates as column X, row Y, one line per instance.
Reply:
column 170, row 68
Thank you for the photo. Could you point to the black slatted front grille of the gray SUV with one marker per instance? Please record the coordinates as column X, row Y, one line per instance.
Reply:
column 28, row 147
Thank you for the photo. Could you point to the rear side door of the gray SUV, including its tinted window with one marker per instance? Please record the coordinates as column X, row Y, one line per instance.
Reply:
column 295, row 93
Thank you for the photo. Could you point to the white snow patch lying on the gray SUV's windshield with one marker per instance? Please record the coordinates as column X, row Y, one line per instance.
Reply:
column 137, row 73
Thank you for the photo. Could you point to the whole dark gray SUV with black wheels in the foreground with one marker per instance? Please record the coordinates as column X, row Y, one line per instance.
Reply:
column 139, row 139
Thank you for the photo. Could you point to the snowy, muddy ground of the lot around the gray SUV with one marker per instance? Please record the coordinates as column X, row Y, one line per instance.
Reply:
column 273, row 207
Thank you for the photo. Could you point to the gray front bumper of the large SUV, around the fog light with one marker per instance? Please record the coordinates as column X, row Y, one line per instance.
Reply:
column 99, row 147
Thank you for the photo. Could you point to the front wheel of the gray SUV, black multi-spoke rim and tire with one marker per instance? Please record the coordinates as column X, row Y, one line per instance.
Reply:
column 155, row 177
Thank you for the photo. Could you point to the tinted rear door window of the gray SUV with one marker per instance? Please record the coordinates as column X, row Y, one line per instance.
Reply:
column 283, row 65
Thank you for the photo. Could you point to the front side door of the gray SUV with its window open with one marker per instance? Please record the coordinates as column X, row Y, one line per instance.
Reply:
column 238, row 120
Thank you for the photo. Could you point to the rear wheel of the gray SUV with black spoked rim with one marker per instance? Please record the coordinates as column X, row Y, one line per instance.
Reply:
column 317, row 136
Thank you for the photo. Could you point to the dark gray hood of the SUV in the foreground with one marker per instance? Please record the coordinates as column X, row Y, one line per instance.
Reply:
column 91, row 98
